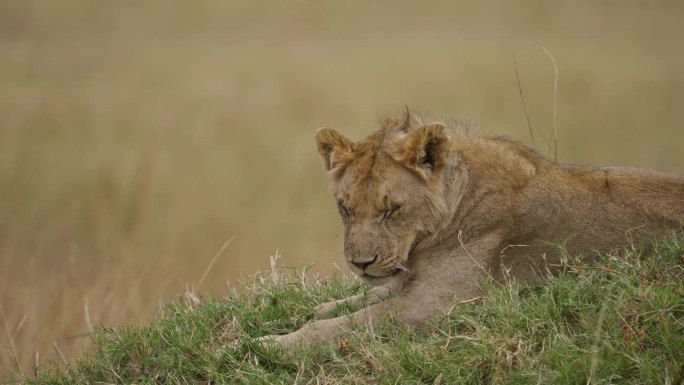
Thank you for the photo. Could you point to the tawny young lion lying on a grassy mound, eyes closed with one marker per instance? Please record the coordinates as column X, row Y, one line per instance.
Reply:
column 430, row 208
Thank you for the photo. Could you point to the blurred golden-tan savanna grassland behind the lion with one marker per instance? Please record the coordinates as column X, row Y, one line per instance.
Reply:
column 137, row 137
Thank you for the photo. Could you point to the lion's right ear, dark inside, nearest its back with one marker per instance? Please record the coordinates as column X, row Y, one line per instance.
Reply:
column 425, row 148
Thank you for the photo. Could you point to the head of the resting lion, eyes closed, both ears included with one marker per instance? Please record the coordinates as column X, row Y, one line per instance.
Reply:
column 390, row 191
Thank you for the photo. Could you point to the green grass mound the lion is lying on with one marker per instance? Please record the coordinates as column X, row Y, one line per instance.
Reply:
column 618, row 321
